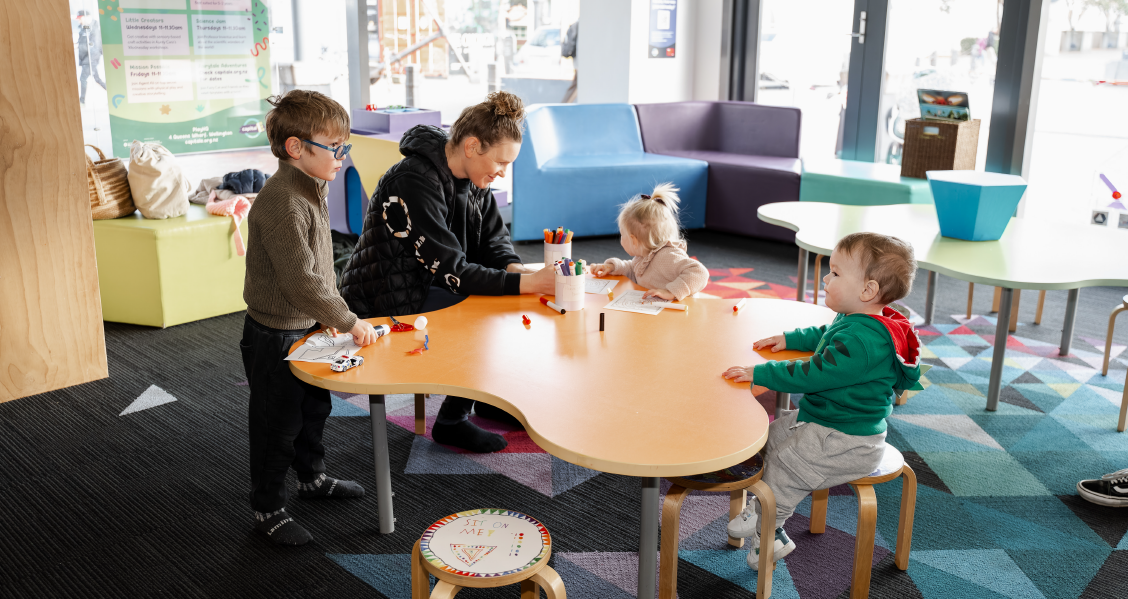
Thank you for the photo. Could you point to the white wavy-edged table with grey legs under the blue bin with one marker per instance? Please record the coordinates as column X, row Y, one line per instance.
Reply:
column 1030, row 256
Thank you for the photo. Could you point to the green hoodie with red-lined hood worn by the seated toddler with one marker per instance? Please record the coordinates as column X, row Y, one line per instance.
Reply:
column 861, row 364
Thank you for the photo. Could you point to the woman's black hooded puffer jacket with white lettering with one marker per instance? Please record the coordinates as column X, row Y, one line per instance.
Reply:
column 426, row 227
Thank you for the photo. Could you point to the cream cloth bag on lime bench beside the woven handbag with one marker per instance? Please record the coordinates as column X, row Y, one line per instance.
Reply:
column 161, row 190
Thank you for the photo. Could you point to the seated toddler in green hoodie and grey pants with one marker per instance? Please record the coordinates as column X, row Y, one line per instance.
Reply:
column 862, row 362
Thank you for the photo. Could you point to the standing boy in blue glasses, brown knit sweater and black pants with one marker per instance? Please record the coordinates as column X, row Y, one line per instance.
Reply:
column 290, row 287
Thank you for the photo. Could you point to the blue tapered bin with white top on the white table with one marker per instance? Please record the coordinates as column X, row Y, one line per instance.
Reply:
column 974, row 206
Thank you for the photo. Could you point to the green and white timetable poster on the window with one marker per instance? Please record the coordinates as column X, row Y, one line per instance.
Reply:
column 192, row 75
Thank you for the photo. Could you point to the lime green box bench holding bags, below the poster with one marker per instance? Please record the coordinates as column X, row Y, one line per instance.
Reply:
column 169, row 272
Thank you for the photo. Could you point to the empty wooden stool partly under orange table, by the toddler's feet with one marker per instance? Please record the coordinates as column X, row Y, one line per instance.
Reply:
column 736, row 481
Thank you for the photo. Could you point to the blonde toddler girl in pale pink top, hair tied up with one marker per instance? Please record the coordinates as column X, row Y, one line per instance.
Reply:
column 649, row 232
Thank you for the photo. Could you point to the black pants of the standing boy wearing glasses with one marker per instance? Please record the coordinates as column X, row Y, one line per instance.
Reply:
column 286, row 417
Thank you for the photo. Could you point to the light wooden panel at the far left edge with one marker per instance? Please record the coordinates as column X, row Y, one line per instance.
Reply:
column 51, row 332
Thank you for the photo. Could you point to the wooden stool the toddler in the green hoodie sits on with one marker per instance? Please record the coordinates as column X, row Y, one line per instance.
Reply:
column 893, row 465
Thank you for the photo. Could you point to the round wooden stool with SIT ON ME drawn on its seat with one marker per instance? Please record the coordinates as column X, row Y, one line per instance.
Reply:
column 483, row 550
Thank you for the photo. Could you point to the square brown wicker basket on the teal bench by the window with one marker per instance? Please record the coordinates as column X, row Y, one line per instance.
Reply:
column 939, row 146
